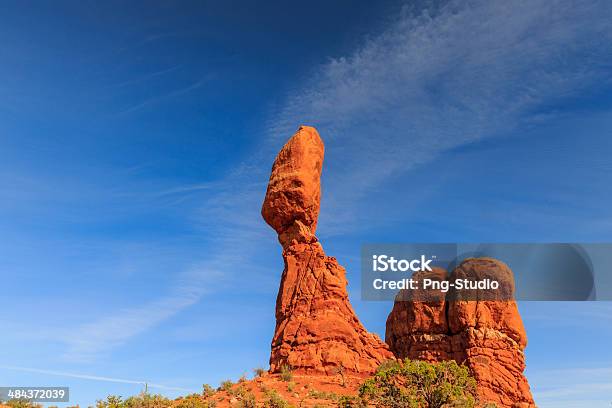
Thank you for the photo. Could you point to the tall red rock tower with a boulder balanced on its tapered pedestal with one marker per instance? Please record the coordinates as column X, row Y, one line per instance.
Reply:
column 317, row 330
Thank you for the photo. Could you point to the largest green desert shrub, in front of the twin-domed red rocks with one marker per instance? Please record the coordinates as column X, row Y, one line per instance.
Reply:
column 418, row 384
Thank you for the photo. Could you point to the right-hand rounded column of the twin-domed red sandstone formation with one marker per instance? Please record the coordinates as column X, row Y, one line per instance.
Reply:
column 492, row 335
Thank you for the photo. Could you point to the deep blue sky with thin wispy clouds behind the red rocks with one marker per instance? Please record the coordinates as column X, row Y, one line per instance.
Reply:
column 136, row 141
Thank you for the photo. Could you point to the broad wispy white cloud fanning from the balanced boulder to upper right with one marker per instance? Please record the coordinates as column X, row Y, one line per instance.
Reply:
column 445, row 75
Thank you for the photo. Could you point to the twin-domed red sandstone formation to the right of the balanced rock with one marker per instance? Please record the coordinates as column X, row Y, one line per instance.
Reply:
column 484, row 333
